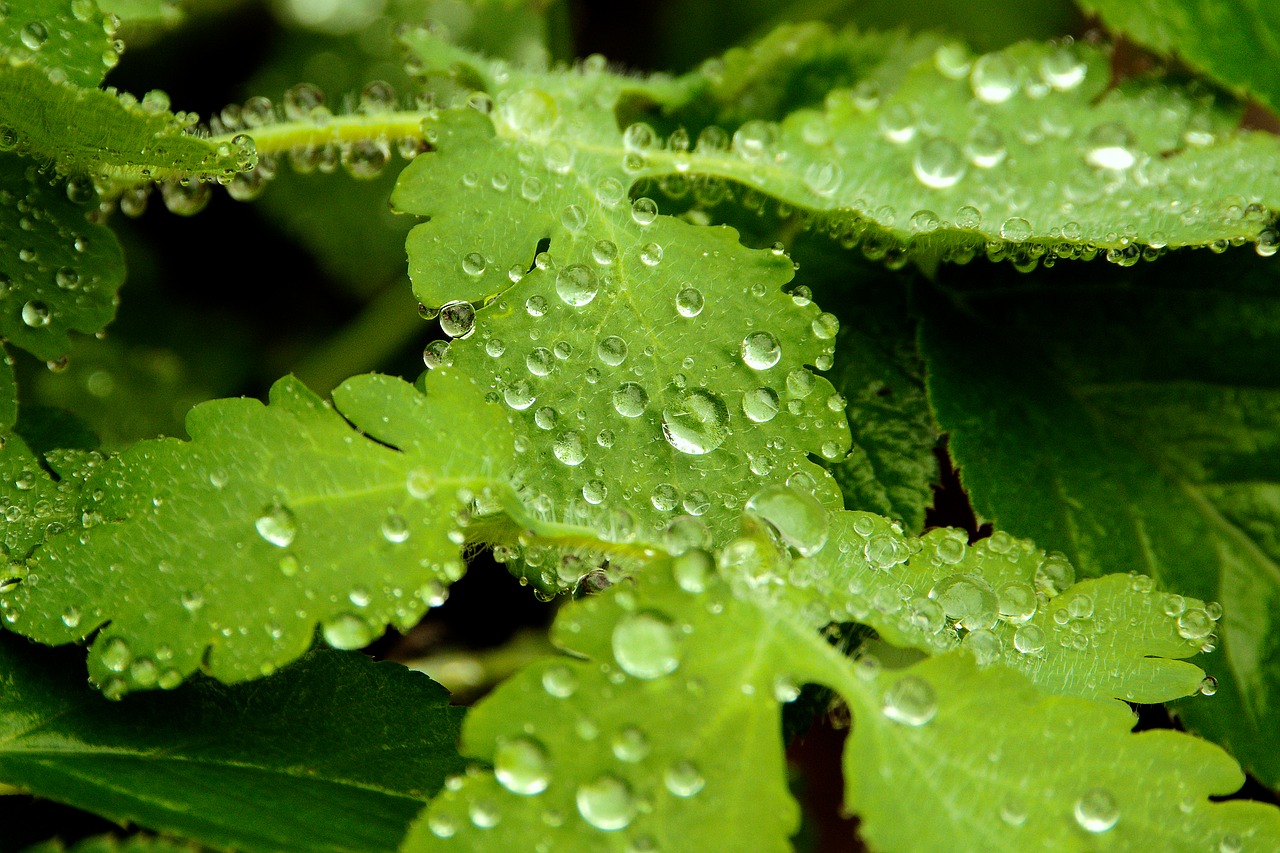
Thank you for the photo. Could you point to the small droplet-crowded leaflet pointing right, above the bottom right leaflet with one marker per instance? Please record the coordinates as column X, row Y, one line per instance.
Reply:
column 1004, row 601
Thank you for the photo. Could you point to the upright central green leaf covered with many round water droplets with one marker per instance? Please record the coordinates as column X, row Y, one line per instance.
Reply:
column 660, row 362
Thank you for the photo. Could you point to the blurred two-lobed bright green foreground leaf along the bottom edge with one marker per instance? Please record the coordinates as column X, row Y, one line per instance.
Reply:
column 621, row 745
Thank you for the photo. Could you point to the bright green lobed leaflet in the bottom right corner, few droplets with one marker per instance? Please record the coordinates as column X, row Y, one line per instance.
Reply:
column 1002, row 767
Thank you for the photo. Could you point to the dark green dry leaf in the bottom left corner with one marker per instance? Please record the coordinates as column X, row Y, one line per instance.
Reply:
column 332, row 754
